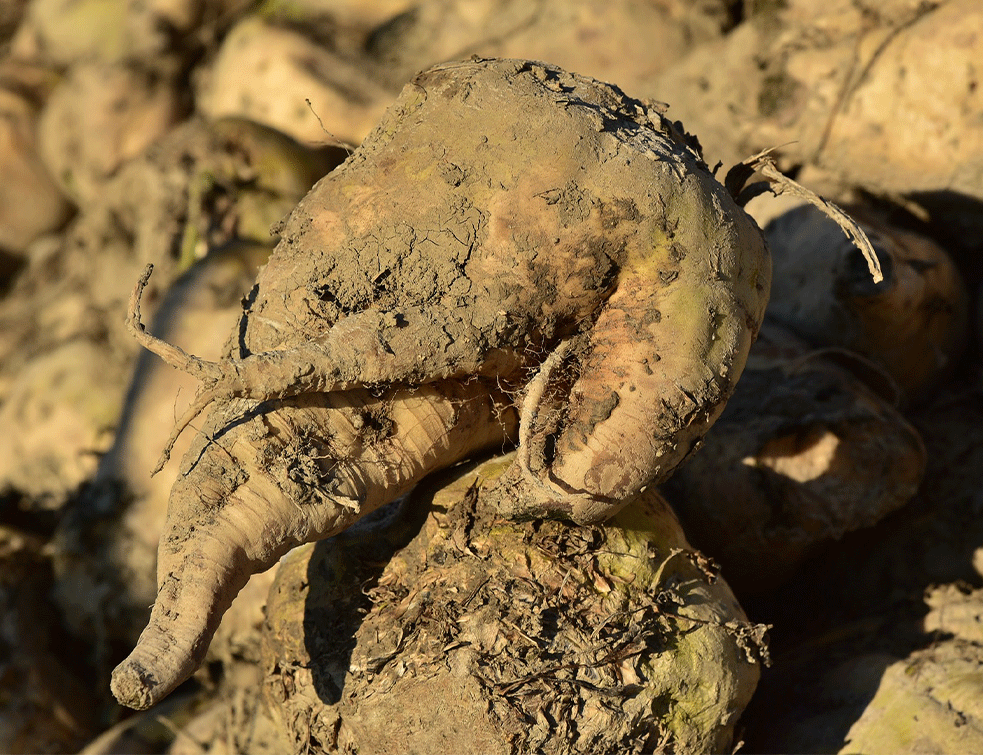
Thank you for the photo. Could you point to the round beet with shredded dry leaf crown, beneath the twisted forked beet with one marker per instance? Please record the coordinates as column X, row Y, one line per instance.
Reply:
column 489, row 636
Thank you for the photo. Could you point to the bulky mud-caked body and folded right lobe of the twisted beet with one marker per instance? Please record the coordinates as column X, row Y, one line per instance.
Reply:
column 592, row 221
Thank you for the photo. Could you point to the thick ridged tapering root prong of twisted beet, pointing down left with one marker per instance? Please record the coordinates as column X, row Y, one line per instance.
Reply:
column 281, row 475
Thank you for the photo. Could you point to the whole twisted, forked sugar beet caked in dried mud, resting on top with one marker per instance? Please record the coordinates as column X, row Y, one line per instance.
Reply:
column 508, row 231
